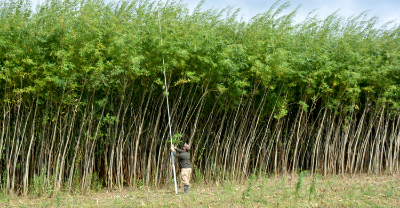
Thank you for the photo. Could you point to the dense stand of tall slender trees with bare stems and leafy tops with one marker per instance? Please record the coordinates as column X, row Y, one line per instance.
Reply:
column 82, row 103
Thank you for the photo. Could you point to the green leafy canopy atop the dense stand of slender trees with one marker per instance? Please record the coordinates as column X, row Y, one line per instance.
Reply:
column 85, row 45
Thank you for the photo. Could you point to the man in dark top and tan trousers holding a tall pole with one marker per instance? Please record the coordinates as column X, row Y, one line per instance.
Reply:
column 184, row 164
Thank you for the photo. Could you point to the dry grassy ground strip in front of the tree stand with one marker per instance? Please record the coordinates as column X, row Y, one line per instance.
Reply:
column 286, row 191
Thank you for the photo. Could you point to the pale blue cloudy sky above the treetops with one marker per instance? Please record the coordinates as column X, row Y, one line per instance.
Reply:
column 386, row 10
